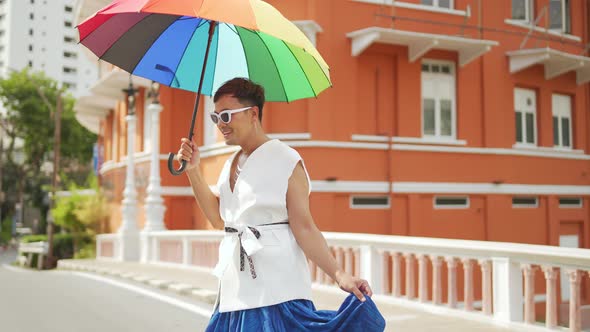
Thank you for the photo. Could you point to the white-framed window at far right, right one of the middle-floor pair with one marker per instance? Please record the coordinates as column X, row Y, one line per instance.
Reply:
column 562, row 121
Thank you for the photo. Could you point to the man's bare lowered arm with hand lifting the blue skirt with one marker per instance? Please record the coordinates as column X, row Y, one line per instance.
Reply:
column 311, row 240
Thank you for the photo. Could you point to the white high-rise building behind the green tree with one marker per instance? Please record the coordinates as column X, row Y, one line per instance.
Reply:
column 41, row 34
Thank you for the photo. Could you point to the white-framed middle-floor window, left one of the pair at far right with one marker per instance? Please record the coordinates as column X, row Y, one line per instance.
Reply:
column 525, row 113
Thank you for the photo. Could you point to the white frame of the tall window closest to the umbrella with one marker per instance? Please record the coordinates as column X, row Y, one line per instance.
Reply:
column 436, row 94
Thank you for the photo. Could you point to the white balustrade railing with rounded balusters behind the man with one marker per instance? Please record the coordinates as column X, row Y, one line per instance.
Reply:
column 495, row 281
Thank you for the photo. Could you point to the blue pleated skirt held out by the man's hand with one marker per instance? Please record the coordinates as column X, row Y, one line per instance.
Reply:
column 301, row 315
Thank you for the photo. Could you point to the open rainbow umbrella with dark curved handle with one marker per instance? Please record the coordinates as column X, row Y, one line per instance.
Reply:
column 197, row 45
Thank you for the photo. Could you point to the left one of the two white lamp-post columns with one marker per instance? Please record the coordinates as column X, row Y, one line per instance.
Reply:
column 128, row 231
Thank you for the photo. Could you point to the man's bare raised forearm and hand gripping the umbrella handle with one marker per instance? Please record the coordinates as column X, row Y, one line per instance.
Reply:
column 206, row 199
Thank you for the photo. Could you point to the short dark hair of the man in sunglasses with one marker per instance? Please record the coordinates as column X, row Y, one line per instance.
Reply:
column 246, row 91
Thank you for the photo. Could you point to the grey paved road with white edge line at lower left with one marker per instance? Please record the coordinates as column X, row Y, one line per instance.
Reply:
column 70, row 301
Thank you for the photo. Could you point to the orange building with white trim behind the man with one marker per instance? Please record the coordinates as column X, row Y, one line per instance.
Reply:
column 462, row 119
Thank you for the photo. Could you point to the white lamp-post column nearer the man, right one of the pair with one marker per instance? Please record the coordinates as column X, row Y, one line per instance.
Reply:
column 154, row 203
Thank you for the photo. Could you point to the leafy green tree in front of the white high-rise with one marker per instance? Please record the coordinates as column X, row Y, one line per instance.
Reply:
column 30, row 101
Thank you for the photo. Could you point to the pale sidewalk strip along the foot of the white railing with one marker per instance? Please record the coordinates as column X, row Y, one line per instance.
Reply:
column 202, row 285
